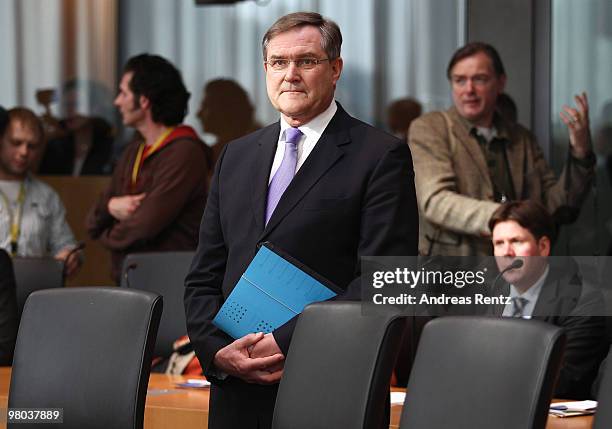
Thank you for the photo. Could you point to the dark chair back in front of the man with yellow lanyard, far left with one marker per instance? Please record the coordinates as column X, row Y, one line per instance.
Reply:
column 33, row 274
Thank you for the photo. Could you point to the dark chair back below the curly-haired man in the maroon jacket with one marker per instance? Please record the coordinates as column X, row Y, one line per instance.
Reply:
column 163, row 273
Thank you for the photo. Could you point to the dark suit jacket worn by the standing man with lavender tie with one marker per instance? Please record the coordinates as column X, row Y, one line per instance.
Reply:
column 354, row 195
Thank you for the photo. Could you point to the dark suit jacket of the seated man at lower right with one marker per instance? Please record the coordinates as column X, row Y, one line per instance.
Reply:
column 566, row 302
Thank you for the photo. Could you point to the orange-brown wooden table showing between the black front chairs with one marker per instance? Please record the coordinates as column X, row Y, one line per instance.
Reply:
column 169, row 407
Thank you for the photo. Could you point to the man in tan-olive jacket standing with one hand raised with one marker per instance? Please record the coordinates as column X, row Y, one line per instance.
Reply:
column 468, row 160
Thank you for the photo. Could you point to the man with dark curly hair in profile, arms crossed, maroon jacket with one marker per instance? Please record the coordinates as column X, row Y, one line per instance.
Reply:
column 158, row 190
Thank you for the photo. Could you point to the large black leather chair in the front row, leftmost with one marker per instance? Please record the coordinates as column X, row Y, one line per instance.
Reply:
column 87, row 351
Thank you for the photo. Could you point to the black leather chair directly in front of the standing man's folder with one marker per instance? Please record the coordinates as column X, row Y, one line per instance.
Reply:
column 338, row 368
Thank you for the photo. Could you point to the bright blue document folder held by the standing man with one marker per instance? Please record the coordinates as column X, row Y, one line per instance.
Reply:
column 273, row 289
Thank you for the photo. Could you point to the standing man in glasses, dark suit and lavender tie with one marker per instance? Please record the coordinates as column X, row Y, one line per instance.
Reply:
column 347, row 191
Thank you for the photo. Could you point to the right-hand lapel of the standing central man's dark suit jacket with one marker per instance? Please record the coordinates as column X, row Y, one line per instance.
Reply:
column 324, row 155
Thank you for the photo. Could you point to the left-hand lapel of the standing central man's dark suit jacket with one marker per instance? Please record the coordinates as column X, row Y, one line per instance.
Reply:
column 261, row 170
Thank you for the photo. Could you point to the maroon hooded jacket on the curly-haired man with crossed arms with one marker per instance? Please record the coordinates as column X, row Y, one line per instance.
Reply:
column 175, row 182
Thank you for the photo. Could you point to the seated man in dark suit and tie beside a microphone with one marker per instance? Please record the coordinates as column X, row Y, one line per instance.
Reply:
column 550, row 290
